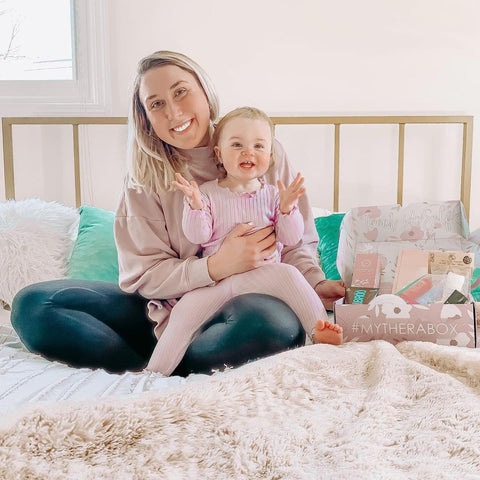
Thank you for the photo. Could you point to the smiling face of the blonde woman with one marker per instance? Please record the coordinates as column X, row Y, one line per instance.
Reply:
column 176, row 106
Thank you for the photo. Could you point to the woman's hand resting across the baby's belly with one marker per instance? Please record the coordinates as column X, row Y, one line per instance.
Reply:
column 241, row 252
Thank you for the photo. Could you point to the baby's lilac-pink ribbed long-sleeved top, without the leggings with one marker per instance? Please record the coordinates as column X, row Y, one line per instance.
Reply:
column 223, row 210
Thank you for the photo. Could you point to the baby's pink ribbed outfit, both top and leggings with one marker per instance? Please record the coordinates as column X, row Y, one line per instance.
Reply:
column 222, row 211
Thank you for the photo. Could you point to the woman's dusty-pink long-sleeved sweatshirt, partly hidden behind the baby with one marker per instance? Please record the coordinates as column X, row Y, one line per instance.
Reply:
column 159, row 262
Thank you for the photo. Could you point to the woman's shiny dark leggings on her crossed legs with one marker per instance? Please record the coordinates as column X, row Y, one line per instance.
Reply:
column 95, row 324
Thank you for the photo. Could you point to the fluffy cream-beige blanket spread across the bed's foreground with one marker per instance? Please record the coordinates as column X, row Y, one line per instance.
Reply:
column 362, row 410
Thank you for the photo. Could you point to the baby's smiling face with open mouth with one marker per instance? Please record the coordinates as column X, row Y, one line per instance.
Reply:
column 245, row 148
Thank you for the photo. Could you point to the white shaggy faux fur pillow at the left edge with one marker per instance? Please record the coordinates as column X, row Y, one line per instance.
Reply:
column 36, row 238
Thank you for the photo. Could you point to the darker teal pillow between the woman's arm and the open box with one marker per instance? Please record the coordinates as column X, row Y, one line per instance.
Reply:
column 328, row 229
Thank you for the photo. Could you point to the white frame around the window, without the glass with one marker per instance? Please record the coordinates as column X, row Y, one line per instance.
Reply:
column 87, row 93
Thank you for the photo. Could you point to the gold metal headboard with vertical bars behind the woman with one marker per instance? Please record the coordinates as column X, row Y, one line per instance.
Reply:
column 401, row 121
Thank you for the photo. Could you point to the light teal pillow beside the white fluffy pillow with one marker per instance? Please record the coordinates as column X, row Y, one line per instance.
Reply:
column 94, row 255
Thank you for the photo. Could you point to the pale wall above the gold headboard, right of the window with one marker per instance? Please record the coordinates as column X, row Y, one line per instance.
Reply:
column 314, row 57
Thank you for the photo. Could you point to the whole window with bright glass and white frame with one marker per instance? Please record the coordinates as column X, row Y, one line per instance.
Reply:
column 52, row 57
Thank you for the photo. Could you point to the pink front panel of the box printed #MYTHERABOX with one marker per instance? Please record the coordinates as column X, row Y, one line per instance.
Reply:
column 389, row 317
